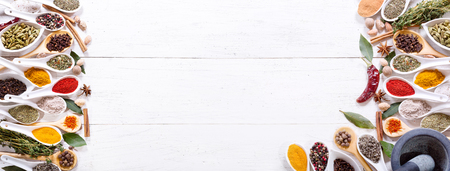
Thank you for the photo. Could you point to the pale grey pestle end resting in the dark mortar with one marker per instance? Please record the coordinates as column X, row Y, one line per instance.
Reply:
column 421, row 162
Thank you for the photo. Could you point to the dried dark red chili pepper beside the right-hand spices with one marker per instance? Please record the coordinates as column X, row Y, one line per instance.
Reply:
column 372, row 84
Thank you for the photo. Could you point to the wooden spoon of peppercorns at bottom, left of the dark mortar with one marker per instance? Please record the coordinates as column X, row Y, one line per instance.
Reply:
column 352, row 148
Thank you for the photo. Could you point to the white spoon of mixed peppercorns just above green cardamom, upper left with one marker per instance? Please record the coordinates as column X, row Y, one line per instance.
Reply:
column 33, row 16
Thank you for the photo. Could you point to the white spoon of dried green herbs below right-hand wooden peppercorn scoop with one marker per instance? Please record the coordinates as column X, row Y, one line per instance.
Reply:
column 424, row 63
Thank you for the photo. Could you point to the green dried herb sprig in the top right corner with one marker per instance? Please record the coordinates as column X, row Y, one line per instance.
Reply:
column 423, row 12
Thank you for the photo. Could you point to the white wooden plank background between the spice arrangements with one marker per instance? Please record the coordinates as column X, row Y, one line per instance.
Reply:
column 218, row 85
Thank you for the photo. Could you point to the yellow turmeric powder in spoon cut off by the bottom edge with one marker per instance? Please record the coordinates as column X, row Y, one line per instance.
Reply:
column 297, row 158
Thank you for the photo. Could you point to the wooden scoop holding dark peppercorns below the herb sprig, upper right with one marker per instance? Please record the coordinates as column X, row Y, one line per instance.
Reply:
column 426, row 50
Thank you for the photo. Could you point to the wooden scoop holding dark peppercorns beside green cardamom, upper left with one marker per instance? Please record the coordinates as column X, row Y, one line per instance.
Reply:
column 42, row 48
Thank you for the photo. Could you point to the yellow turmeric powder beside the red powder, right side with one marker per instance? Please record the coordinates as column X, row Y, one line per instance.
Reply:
column 429, row 78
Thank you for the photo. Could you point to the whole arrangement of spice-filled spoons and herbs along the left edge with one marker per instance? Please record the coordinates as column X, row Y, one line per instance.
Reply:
column 42, row 97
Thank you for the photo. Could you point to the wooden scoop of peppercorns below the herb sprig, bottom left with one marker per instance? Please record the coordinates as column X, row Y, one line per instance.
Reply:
column 53, row 157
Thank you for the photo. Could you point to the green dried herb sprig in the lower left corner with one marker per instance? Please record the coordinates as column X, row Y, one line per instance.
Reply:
column 23, row 144
